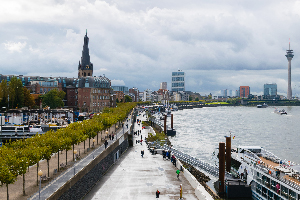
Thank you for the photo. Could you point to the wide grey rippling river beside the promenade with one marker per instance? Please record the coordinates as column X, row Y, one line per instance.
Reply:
column 200, row 130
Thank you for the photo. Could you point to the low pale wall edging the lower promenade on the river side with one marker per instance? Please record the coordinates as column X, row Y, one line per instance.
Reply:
column 200, row 191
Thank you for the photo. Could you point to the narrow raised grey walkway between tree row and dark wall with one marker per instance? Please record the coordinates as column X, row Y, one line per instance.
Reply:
column 54, row 185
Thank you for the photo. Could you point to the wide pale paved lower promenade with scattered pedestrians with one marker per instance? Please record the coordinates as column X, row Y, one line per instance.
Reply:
column 134, row 177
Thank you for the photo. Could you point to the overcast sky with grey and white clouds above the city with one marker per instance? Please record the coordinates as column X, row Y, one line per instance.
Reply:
column 138, row 43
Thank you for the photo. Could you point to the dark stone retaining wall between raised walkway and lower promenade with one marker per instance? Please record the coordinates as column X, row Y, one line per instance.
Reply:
column 78, row 186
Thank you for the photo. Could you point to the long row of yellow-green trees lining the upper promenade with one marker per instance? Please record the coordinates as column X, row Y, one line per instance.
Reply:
column 17, row 156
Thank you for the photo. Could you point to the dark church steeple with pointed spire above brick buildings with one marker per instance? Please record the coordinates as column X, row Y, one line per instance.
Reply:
column 85, row 67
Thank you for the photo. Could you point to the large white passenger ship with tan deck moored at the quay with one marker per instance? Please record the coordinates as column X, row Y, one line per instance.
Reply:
column 268, row 175
